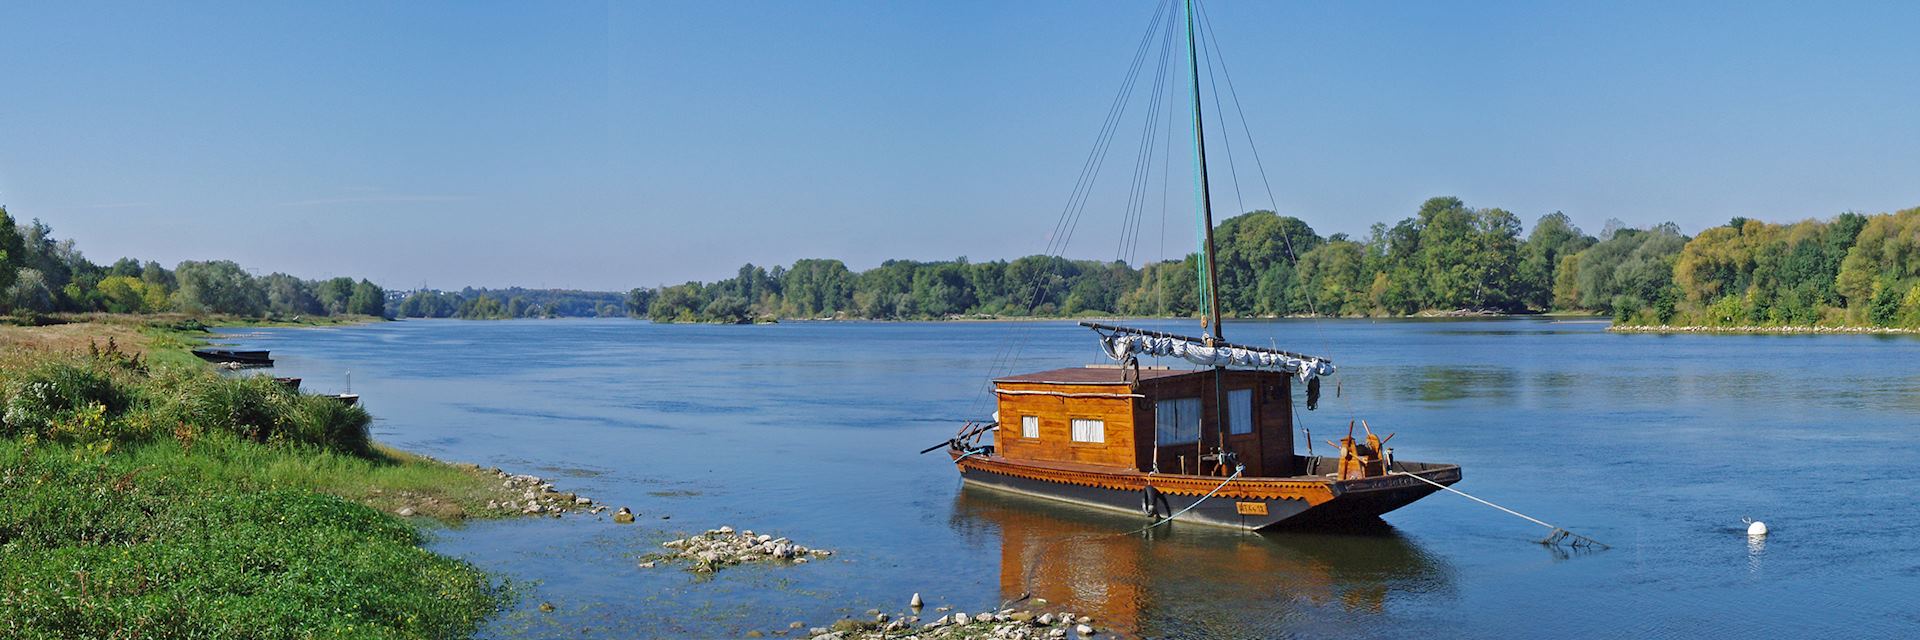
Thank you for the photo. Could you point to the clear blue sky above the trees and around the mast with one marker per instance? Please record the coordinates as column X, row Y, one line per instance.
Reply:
column 644, row 143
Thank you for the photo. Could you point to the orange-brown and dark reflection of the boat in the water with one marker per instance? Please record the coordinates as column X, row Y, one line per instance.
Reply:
column 1193, row 581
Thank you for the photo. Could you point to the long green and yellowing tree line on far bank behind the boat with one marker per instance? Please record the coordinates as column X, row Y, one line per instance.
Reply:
column 1852, row 270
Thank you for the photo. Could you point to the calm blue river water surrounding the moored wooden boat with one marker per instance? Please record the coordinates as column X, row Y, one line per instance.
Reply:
column 1656, row 445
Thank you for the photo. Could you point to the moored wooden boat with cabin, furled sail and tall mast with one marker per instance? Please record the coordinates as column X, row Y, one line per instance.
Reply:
column 1212, row 445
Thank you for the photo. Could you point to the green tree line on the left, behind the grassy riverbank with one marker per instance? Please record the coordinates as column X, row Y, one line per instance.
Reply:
column 47, row 276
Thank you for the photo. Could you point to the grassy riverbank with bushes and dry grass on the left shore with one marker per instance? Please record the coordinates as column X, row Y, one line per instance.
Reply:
column 151, row 497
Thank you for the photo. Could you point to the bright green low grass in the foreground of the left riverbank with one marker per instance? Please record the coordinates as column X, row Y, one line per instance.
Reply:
column 222, row 541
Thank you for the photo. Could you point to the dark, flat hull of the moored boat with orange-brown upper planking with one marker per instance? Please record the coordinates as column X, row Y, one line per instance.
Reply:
column 1251, row 505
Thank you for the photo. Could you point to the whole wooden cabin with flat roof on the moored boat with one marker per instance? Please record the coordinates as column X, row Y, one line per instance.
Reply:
column 1113, row 418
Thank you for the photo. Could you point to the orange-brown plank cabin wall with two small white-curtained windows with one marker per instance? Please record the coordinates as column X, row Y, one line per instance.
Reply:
column 1057, row 424
